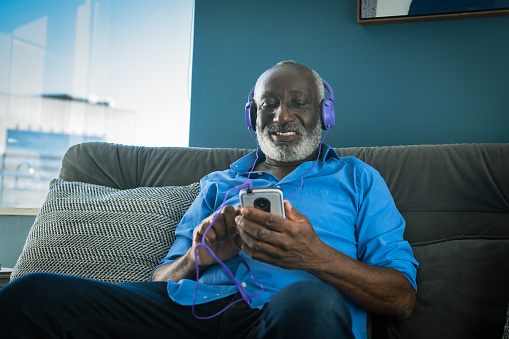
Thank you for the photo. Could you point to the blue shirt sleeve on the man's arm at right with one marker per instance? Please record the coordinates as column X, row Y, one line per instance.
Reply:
column 380, row 228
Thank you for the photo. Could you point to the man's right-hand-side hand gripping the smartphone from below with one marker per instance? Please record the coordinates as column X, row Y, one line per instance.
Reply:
column 288, row 243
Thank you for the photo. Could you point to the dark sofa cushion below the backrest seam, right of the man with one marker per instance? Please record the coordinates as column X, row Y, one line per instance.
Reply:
column 462, row 291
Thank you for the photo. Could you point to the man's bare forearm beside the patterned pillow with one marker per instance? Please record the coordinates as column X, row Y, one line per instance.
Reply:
column 182, row 268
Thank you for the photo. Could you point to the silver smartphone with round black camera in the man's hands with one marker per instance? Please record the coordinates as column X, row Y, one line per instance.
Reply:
column 268, row 199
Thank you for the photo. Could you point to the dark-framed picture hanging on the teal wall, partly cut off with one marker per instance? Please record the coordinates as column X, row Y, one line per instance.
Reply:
column 379, row 12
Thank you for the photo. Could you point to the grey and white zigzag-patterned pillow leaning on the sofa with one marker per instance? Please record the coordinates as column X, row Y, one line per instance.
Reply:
column 104, row 233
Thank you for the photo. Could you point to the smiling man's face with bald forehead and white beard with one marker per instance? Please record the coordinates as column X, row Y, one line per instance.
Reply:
column 288, row 124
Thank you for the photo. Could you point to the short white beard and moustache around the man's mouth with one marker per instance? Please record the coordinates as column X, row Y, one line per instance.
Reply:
column 282, row 153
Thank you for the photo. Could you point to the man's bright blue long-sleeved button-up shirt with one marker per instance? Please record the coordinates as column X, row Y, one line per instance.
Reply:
column 346, row 201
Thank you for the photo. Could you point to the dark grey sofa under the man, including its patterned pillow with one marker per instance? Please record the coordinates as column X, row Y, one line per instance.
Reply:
column 112, row 212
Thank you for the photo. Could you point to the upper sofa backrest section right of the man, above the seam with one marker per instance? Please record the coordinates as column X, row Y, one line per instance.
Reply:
column 444, row 191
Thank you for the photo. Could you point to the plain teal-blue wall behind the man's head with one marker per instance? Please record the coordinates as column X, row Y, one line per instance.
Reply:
column 416, row 83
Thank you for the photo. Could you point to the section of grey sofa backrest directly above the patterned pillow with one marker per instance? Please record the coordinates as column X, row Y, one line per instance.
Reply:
column 126, row 167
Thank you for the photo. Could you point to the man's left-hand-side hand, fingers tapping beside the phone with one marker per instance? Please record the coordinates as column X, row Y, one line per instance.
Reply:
column 220, row 238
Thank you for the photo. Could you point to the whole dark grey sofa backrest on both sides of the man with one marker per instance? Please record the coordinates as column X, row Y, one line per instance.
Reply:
column 442, row 191
